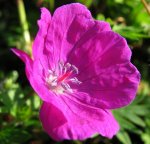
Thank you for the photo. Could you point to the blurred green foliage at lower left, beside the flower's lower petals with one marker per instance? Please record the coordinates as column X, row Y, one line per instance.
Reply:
column 17, row 106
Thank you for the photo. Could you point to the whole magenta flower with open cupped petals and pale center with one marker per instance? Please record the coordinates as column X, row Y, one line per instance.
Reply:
column 81, row 69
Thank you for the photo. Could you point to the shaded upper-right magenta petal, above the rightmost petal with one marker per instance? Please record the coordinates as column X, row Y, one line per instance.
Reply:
column 105, row 48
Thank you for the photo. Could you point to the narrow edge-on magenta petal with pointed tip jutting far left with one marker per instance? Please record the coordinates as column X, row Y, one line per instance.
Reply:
column 36, row 80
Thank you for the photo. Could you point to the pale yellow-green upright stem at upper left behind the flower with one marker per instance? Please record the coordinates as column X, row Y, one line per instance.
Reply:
column 24, row 23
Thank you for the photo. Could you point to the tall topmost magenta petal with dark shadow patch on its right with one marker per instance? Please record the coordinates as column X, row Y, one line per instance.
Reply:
column 69, row 22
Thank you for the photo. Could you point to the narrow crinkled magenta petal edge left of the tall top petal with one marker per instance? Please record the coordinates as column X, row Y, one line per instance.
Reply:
column 40, row 53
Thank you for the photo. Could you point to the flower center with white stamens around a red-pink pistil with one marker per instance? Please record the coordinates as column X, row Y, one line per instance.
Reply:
column 59, row 80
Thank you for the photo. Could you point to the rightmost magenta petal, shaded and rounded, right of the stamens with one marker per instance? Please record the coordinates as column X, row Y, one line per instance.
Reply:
column 113, row 88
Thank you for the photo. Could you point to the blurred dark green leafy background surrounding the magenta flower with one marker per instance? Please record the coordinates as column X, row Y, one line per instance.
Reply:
column 19, row 105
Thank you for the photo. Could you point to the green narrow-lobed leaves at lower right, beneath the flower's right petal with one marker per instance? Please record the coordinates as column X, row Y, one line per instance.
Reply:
column 133, row 117
